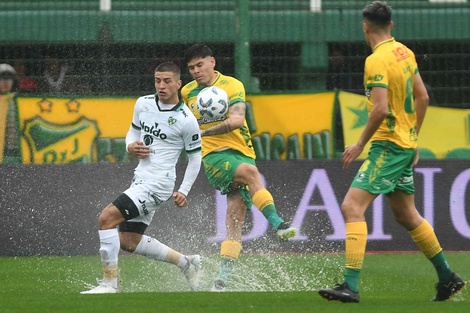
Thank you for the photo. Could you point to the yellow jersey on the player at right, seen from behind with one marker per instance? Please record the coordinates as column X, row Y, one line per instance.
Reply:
column 393, row 66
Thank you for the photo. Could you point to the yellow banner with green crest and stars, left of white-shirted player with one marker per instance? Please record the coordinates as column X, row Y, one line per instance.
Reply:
column 60, row 130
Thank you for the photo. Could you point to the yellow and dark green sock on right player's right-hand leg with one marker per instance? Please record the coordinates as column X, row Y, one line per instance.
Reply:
column 425, row 238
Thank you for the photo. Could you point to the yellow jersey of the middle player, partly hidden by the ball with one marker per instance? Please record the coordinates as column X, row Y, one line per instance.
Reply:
column 238, row 139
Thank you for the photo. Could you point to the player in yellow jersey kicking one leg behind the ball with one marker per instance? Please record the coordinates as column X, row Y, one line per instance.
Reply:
column 229, row 158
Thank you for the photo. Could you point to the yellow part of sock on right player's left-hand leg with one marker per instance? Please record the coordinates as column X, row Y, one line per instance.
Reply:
column 356, row 240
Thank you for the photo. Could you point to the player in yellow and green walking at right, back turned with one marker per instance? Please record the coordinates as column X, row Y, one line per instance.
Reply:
column 397, row 101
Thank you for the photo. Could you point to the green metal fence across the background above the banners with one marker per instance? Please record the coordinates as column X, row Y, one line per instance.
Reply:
column 110, row 47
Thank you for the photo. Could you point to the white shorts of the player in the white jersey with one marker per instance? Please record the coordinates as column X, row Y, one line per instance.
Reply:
column 148, row 197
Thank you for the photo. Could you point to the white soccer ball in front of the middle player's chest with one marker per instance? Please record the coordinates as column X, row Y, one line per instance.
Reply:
column 212, row 103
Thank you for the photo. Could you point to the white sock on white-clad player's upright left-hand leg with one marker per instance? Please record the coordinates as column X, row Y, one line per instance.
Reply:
column 109, row 251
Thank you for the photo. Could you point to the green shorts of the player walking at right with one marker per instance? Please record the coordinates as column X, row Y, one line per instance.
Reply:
column 388, row 167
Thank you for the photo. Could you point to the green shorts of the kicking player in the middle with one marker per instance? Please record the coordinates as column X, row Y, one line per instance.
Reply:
column 220, row 169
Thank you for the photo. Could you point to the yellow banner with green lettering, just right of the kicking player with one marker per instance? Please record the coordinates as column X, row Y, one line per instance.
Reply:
column 293, row 126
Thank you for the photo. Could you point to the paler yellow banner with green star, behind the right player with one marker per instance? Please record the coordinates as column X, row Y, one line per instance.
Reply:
column 444, row 134
